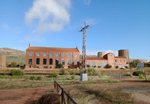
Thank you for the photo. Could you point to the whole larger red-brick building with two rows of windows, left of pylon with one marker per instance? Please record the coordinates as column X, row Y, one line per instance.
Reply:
column 49, row 57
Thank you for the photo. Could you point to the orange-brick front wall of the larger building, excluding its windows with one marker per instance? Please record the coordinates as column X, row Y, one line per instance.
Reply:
column 41, row 57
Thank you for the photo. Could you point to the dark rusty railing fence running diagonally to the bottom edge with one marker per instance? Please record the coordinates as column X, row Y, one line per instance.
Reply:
column 63, row 94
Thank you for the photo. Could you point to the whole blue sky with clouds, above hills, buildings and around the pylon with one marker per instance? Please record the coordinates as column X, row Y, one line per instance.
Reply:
column 116, row 24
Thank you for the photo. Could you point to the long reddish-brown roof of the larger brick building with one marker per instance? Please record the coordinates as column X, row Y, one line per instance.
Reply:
column 52, row 49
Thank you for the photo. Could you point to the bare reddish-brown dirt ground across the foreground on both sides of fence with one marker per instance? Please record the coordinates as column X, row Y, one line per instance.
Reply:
column 140, row 91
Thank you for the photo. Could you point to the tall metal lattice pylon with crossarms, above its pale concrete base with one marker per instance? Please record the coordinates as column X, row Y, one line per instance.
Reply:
column 84, row 45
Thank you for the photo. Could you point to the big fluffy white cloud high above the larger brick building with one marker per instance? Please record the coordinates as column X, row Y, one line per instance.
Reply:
column 50, row 15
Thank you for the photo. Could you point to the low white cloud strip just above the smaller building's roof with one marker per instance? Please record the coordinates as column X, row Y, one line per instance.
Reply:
column 95, row 52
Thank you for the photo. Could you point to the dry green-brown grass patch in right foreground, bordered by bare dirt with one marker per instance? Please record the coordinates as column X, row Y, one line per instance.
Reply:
column 113, row 96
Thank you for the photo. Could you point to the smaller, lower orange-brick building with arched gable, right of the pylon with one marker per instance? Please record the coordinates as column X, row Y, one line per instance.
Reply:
column 109, row 58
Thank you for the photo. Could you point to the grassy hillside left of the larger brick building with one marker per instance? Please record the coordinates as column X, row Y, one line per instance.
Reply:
column 13, row 55
